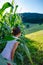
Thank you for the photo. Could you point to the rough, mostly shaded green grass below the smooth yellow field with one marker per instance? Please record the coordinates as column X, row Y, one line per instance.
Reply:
column 36, row 54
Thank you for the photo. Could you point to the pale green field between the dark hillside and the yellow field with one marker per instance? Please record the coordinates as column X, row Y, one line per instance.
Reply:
column 33, row 28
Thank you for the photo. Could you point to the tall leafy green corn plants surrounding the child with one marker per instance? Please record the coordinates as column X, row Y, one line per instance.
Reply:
column 7, row 22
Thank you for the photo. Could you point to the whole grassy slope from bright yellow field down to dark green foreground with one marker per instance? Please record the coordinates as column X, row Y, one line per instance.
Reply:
column 35, row 44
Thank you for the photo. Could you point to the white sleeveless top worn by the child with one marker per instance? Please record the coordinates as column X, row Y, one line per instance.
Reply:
column 6, row 53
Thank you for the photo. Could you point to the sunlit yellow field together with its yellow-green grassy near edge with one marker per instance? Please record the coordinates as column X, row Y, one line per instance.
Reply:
column 38, row 38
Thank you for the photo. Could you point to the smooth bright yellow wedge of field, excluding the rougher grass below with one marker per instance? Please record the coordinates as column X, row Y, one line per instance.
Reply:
column 36, row 36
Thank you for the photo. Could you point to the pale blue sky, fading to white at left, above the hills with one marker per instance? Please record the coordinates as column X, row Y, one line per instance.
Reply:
column 33, row 6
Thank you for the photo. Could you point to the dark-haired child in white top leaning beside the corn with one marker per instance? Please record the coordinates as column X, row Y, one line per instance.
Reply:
column 12, row 45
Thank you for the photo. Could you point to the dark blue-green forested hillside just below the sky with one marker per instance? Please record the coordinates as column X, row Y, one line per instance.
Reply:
column 32, row 17
